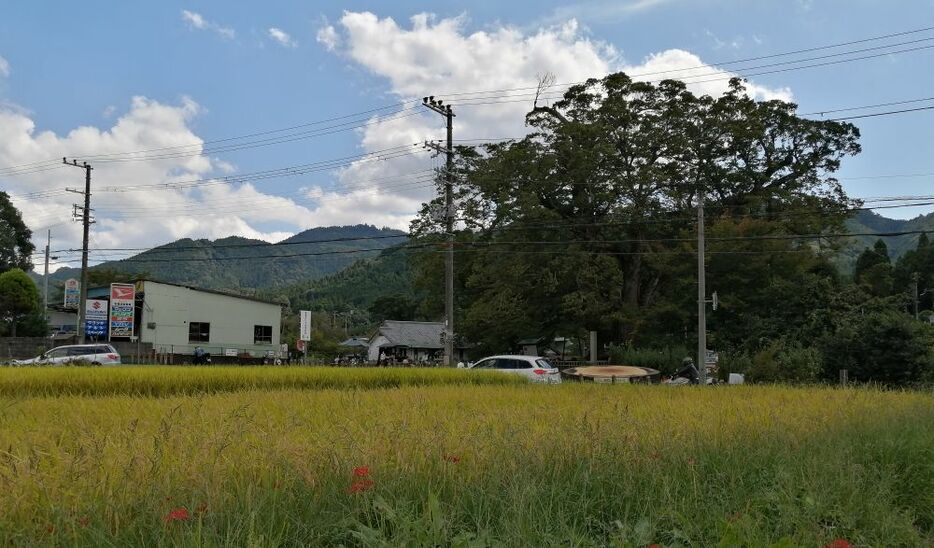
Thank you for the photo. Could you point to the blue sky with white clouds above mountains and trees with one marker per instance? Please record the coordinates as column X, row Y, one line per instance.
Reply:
column 206, row 119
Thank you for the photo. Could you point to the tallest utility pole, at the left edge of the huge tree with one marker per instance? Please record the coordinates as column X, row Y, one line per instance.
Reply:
column 448, row 113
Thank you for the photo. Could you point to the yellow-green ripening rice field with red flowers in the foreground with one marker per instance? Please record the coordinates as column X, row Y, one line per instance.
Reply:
column 434, row 458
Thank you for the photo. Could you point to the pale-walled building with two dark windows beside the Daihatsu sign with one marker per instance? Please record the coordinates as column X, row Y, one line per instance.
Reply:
column 175, row 319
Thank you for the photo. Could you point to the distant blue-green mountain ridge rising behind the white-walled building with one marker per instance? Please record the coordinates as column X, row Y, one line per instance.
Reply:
column 239, row 264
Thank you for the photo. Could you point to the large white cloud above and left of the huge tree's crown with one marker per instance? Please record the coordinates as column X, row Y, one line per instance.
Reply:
column 434, row 56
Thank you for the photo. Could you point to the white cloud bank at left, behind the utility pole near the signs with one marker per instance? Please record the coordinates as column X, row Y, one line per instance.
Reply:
column 137, row 219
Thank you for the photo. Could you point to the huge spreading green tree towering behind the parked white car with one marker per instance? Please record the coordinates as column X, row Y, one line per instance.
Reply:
column 588, row 222
